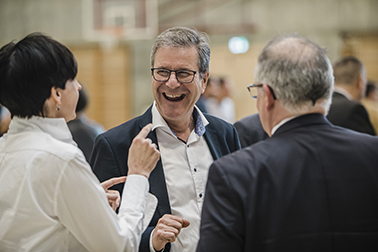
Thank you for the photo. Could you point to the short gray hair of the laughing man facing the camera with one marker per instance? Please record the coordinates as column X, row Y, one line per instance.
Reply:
column 185, row 37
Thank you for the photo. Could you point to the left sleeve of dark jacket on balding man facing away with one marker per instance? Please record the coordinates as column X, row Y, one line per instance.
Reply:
column 221, row 225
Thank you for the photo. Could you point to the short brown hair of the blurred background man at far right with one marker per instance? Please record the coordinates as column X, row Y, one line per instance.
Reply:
column 347, row 70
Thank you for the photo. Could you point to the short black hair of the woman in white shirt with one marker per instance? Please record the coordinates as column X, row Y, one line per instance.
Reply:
column 28, row 71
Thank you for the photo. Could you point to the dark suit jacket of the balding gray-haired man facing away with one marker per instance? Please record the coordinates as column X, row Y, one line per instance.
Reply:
column 311, row 186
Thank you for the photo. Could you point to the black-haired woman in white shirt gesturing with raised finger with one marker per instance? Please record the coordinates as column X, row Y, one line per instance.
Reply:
column 50, row 200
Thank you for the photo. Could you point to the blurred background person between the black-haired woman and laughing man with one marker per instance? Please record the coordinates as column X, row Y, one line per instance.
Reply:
column 84, row 130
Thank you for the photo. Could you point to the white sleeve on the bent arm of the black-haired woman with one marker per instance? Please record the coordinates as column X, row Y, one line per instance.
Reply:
column 83, row 209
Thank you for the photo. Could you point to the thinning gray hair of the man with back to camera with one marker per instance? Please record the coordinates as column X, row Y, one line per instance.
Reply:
column 298, row 71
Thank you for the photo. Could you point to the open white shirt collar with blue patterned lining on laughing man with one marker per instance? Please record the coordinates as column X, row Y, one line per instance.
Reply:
column 200, row 121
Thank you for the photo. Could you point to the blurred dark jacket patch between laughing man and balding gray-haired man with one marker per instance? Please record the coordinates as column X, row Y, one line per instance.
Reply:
column 250, row 130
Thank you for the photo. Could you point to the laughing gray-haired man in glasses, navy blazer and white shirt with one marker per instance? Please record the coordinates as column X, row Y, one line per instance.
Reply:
column 188, row 140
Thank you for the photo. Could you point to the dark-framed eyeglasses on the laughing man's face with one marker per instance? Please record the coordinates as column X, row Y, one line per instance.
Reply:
column 182, row 76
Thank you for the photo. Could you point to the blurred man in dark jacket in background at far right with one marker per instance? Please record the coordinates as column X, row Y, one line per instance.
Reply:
column 350, row 85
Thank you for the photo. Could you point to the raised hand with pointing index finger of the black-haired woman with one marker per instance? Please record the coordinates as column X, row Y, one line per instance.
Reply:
column 143, row 154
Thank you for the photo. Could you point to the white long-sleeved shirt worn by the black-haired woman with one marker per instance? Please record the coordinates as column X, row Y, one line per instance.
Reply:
column 51, row 201
